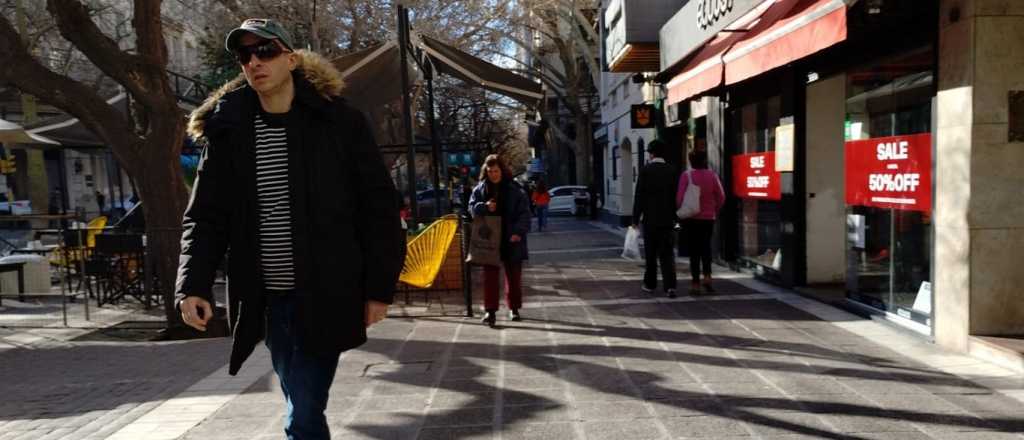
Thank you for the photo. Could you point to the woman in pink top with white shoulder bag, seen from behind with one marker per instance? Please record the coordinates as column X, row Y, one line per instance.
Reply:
column 699, row 230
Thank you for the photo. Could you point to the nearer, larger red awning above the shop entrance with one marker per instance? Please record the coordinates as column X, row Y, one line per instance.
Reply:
column 790, row 30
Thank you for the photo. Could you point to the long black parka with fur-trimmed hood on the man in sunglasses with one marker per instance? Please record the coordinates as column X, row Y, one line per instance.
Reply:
column 346, row 227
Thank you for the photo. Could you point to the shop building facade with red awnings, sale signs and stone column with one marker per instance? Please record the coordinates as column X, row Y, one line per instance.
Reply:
column 863, row 162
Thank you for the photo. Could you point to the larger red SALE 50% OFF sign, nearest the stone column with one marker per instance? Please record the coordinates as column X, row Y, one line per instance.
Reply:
column 890, row 172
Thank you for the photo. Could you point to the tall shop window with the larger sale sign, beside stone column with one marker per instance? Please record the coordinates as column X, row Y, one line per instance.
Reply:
column 889, row 247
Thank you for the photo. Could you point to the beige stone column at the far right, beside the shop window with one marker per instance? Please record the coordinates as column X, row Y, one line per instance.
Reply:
column 979, row 214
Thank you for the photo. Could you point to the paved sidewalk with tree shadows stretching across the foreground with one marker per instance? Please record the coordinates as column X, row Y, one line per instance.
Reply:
column 594, row 360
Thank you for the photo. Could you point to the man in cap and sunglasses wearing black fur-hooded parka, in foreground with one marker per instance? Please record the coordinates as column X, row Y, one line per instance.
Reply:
column 292, row 185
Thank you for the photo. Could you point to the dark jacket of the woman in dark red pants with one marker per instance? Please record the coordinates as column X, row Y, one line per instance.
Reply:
column 514, row 207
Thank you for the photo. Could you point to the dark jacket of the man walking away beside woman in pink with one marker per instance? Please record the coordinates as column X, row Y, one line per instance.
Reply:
column 655, row 201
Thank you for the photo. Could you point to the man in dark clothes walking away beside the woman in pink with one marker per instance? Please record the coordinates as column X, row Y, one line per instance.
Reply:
column 655, row 207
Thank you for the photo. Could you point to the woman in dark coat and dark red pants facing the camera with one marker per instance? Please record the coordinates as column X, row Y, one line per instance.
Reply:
column 498, row 195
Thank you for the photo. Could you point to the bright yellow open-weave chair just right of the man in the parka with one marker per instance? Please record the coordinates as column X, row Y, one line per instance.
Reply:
column 426, row 252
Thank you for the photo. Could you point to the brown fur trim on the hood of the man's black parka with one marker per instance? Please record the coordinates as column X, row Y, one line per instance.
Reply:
column 313, row 69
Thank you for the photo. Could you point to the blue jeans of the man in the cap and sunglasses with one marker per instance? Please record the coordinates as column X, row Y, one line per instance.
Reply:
column 306, row 378
